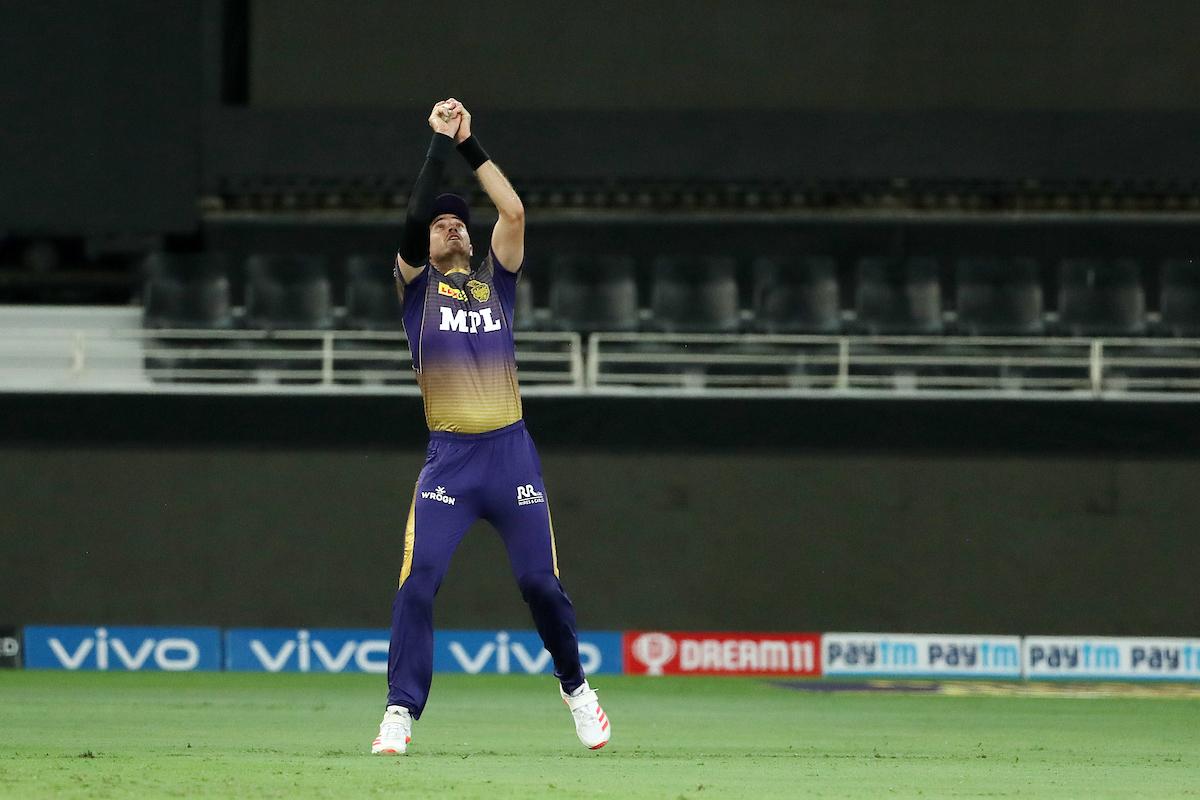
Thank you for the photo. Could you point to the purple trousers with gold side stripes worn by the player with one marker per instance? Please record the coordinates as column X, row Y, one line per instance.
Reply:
column 467, row 477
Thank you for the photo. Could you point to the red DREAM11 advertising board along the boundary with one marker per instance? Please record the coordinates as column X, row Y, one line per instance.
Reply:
column 656, row 653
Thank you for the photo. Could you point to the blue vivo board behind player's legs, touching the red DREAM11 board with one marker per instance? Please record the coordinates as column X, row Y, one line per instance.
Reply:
column 519, row 652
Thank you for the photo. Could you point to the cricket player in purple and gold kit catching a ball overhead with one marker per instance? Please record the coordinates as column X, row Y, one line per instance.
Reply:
column 482, row 462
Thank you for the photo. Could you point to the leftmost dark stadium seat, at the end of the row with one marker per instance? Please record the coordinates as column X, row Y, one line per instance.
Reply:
column 187, row 291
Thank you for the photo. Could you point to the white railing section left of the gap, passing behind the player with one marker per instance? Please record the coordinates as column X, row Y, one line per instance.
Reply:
column 251, row 362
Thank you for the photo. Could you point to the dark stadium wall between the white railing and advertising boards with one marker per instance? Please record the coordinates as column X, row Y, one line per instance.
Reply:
column 1041, row 519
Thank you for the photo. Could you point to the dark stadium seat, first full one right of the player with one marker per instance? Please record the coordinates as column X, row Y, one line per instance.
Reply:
column 593, row 293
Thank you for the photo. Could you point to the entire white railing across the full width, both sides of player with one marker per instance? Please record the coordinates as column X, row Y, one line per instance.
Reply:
column 614, row 364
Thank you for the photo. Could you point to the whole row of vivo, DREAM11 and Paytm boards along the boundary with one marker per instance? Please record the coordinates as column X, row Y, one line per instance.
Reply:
column 635, row 653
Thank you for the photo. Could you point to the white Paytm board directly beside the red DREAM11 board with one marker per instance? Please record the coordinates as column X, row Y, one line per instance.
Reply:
column 922, row 655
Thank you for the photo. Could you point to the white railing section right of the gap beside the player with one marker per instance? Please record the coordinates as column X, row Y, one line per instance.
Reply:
column 682, row 364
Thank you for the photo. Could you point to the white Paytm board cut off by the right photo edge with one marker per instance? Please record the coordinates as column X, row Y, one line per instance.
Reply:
column 1118, row 658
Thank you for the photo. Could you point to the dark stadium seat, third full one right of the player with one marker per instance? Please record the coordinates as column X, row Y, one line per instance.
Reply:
column 796, row 296
